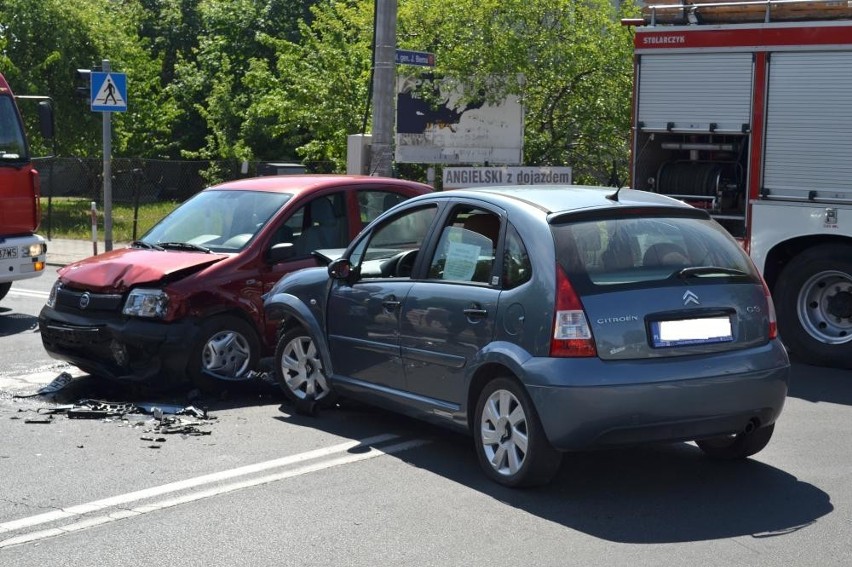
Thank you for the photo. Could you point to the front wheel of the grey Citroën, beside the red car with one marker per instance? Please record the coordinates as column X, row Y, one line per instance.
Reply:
column 300, row 372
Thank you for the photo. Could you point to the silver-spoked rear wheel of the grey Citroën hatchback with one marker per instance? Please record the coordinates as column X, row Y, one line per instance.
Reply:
column 510, row 441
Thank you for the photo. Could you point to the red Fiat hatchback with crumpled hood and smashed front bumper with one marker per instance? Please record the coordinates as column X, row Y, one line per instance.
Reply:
column 185, row 301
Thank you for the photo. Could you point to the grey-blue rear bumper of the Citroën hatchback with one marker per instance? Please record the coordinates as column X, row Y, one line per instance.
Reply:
column 623, row 404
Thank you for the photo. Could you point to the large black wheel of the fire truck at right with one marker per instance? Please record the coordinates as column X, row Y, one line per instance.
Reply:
column 813, row 299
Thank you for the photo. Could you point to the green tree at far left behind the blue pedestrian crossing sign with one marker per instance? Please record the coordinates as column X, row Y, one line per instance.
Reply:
column 47, row 40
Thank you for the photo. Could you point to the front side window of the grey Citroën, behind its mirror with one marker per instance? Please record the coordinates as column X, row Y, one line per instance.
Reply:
column 393, row 245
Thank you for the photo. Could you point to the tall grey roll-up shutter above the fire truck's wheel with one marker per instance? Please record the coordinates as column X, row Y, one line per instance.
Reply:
column 808, row 125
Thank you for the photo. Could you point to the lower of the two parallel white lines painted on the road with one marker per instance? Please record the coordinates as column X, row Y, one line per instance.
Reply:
column 193, row 497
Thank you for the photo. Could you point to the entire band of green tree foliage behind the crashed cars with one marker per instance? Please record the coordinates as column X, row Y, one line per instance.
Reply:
column 290, row 79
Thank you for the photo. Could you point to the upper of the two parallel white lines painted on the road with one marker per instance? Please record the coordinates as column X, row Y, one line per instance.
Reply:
column 87, row 508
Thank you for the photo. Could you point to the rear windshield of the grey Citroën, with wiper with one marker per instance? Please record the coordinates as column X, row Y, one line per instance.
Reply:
column 644, row 251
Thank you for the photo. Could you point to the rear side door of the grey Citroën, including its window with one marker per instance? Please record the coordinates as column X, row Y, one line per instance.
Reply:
column 449, row 314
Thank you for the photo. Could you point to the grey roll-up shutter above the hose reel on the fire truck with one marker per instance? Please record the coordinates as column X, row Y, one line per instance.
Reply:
column 690, row 91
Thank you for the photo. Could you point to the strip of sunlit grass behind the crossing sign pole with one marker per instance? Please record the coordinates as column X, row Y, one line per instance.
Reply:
column 70, row 217
